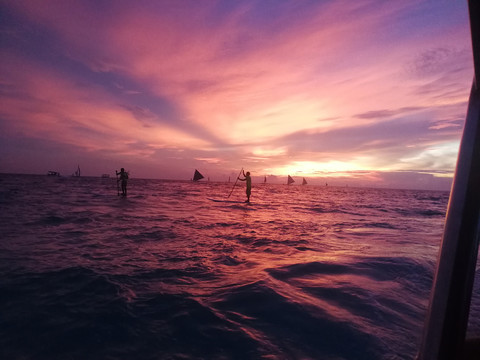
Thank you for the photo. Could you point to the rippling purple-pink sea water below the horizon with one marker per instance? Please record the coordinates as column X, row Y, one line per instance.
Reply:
column 303, row 272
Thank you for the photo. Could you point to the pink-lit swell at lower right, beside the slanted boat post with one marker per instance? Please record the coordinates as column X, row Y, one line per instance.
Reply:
column 366, row 293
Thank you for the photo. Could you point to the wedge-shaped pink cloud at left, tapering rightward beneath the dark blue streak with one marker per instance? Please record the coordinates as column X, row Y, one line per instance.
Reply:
column 46, row 105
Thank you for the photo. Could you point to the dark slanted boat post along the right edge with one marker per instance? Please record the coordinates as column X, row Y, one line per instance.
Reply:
column 447, row 317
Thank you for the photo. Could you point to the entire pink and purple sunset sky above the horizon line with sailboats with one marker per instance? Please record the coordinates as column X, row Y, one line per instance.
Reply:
column 367, row 93
